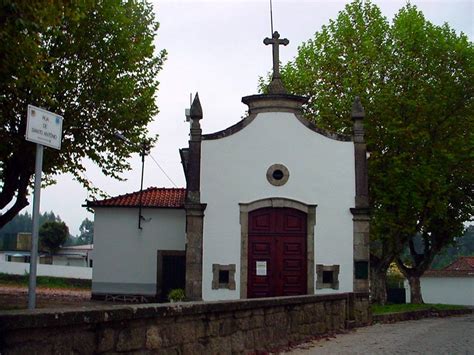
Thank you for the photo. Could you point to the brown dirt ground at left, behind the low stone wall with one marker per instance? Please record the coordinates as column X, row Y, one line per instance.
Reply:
column 15, row 297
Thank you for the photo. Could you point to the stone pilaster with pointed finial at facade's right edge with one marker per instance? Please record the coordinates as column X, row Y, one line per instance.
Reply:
column 360, row 213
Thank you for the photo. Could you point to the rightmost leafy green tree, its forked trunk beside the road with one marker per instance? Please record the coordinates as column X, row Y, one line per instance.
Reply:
column 437, row 67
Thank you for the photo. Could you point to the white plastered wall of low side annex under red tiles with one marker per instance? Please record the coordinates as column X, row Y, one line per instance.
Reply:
column 124, row 256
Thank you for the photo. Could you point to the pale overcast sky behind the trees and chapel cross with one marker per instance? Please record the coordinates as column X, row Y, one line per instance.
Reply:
column 215, row 48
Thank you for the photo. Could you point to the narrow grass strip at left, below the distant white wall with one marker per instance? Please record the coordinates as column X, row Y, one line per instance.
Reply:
column 45, row 281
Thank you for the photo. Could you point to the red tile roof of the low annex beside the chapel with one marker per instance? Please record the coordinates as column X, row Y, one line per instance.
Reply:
column 153, row 197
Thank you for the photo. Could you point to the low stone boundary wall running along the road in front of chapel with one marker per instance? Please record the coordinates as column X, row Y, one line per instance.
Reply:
column 222, row 327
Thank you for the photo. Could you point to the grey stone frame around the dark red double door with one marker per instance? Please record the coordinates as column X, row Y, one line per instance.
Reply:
column 276, row 202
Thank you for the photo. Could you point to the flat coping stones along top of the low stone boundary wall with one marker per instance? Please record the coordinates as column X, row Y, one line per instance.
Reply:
column 41, row 318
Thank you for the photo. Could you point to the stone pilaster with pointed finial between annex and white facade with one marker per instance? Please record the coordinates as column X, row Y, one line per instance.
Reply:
column 194, row 207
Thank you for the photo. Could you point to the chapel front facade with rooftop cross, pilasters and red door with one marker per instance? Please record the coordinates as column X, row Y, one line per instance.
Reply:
column 275, row 206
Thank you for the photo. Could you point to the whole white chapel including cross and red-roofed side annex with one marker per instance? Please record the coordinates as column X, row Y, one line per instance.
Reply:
column 273, row 206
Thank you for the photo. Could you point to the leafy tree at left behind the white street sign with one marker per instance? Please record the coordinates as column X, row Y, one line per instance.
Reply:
column 93, row 63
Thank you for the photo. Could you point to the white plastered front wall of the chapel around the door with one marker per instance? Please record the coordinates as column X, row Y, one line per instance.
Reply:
column 233, row 171
